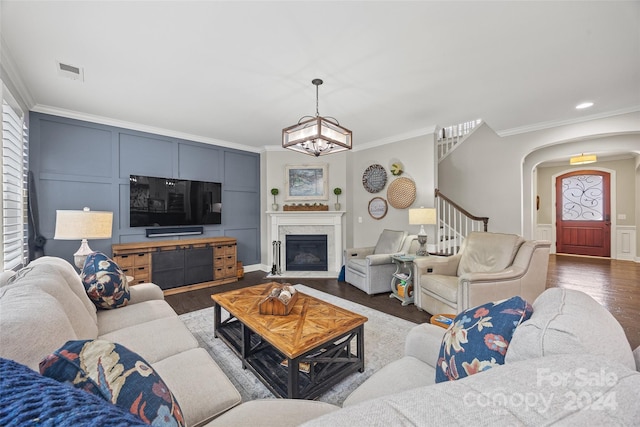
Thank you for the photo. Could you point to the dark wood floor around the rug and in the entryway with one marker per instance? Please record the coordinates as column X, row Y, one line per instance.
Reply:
column 614, row 284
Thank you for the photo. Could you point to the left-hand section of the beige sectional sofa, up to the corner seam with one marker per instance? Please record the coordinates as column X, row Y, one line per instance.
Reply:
column 45, row 305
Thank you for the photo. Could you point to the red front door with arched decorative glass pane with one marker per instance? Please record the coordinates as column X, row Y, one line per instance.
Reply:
column 583, row 217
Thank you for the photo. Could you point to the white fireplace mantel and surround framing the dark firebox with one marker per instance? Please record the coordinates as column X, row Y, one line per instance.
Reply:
column 309, row 222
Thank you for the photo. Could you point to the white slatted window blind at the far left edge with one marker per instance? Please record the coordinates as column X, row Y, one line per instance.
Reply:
column 14, row 189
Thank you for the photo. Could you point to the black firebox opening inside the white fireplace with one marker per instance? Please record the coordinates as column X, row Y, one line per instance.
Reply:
column 306, row 252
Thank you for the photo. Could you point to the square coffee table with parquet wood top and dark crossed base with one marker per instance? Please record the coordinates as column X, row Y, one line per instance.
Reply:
column 300, row 355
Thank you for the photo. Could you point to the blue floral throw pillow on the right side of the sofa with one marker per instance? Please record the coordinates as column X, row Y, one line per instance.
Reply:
column 478, row 338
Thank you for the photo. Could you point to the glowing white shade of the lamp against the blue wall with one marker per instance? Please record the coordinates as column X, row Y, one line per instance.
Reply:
column 84, row 224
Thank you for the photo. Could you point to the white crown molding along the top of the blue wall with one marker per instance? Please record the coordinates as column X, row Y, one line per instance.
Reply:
column 39, row 108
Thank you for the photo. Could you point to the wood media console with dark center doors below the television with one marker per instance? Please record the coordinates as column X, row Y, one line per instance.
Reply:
column 179, row 265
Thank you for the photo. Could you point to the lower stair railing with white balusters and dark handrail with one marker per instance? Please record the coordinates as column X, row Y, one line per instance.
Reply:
column 454, row 224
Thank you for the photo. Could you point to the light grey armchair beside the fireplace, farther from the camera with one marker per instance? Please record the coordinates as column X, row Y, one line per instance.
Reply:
column 370, row 268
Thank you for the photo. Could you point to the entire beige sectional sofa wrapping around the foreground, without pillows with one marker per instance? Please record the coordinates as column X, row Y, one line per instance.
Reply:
column 569, row 364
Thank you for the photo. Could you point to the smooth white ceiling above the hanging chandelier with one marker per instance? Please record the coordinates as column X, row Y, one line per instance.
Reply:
column 237, row 72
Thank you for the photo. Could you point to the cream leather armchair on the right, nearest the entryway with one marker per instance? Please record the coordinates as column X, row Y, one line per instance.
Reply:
column 488, row 267
